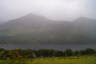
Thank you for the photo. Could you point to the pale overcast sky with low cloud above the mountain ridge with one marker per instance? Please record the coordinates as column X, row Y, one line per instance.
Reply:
column 52, row 9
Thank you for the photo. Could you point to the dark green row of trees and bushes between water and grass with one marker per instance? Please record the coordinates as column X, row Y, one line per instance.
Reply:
column 29, row 53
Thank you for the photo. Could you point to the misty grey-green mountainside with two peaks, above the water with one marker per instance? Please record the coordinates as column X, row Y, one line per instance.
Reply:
column 34, row 29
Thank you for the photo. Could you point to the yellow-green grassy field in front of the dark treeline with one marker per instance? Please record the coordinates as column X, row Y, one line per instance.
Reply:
column 89, row 59
